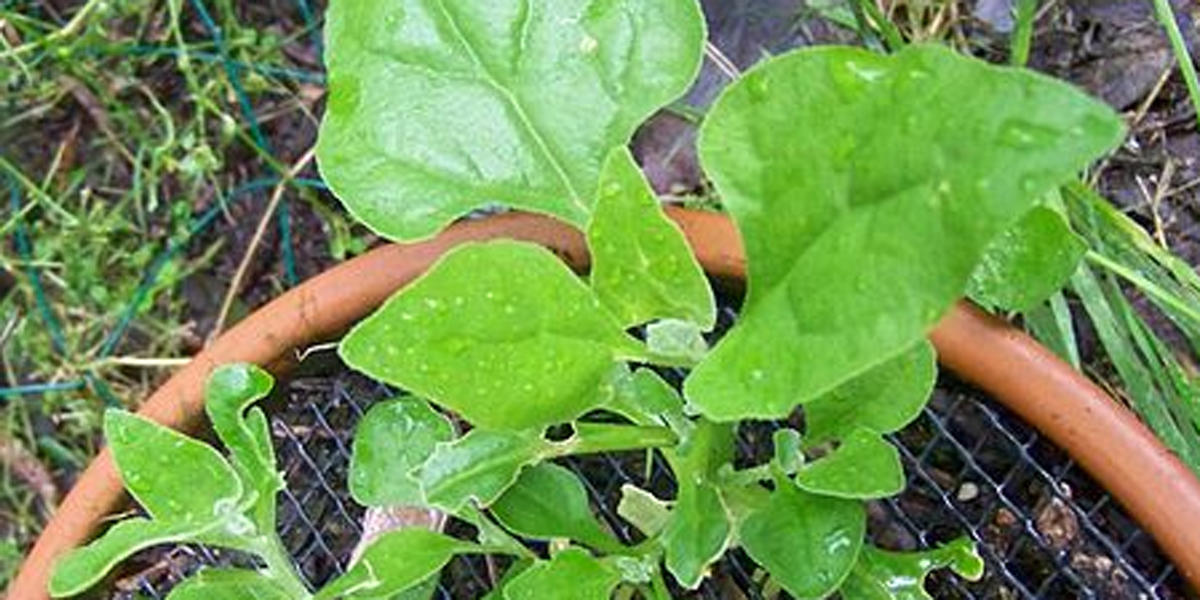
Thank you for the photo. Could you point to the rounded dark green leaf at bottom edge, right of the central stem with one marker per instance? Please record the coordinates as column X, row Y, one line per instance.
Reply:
column 808, row 543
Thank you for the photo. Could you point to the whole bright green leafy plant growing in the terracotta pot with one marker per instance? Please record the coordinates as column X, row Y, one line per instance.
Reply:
column 872, row 191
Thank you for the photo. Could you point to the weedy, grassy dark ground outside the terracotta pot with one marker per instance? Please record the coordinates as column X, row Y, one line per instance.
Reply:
column 117, row 147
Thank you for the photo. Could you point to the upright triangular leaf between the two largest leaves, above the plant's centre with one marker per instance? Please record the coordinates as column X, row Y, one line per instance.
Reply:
column 643, row 268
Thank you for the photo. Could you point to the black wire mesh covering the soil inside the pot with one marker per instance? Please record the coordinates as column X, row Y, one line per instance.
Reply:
column 1043, row 527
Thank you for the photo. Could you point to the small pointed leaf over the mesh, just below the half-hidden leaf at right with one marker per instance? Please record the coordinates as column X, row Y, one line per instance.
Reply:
column 865, row 466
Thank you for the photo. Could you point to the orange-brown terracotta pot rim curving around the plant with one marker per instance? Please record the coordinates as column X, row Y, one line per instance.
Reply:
column 1099, row 433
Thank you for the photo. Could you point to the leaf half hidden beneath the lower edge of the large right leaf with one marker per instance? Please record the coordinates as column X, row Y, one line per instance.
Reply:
column 884, row 400
